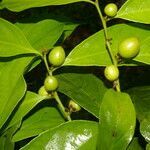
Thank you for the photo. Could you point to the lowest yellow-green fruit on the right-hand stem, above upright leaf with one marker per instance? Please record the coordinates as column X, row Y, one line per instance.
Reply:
column 111, row 73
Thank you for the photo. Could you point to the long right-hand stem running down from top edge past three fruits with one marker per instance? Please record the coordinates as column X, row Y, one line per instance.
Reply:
column 107, row 39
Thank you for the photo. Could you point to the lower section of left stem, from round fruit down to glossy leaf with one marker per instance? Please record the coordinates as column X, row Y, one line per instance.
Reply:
column 61, row 107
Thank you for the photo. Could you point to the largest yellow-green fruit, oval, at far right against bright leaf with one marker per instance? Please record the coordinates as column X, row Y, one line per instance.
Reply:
column 129, row 47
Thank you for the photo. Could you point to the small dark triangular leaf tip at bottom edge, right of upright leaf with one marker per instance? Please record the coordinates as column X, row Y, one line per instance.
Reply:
column 135, row 145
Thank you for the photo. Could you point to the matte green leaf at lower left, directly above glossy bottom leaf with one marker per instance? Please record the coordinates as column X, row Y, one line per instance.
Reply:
column 42, row 120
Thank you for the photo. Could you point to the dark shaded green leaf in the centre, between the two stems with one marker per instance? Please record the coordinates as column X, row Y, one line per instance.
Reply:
column 86, row 89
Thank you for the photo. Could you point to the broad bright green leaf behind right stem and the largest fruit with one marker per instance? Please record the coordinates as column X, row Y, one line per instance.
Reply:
column 92, row 51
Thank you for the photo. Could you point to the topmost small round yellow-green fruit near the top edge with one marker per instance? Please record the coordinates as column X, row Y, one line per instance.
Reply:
column 111, row 10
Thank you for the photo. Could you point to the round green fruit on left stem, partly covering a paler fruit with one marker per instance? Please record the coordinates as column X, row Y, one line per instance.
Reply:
column 50, row 83
